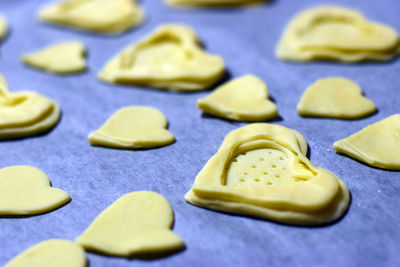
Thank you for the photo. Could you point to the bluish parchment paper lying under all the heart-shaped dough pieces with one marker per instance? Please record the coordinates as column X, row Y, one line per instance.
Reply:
column 95, row 177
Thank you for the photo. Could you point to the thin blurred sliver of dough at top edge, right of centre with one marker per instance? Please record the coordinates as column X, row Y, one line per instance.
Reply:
column 207, row 3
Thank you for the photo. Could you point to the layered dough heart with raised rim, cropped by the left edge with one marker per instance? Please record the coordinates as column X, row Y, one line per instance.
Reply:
column 25, row 113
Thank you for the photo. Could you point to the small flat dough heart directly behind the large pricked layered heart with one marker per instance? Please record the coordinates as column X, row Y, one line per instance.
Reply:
column 243, row 99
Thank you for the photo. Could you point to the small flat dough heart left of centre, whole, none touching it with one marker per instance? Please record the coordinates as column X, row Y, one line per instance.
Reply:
column 134, row 127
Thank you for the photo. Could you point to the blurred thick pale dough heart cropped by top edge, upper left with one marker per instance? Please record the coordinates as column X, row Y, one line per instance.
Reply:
column 101, row 16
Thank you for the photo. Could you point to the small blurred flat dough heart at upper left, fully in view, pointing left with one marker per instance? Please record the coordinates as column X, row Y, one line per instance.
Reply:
column 63, row 58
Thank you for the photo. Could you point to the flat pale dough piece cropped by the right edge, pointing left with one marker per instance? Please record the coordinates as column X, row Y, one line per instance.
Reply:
column 377, row 144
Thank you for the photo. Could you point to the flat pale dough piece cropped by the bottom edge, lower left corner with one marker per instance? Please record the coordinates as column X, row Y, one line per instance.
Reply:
column 51, row 253
